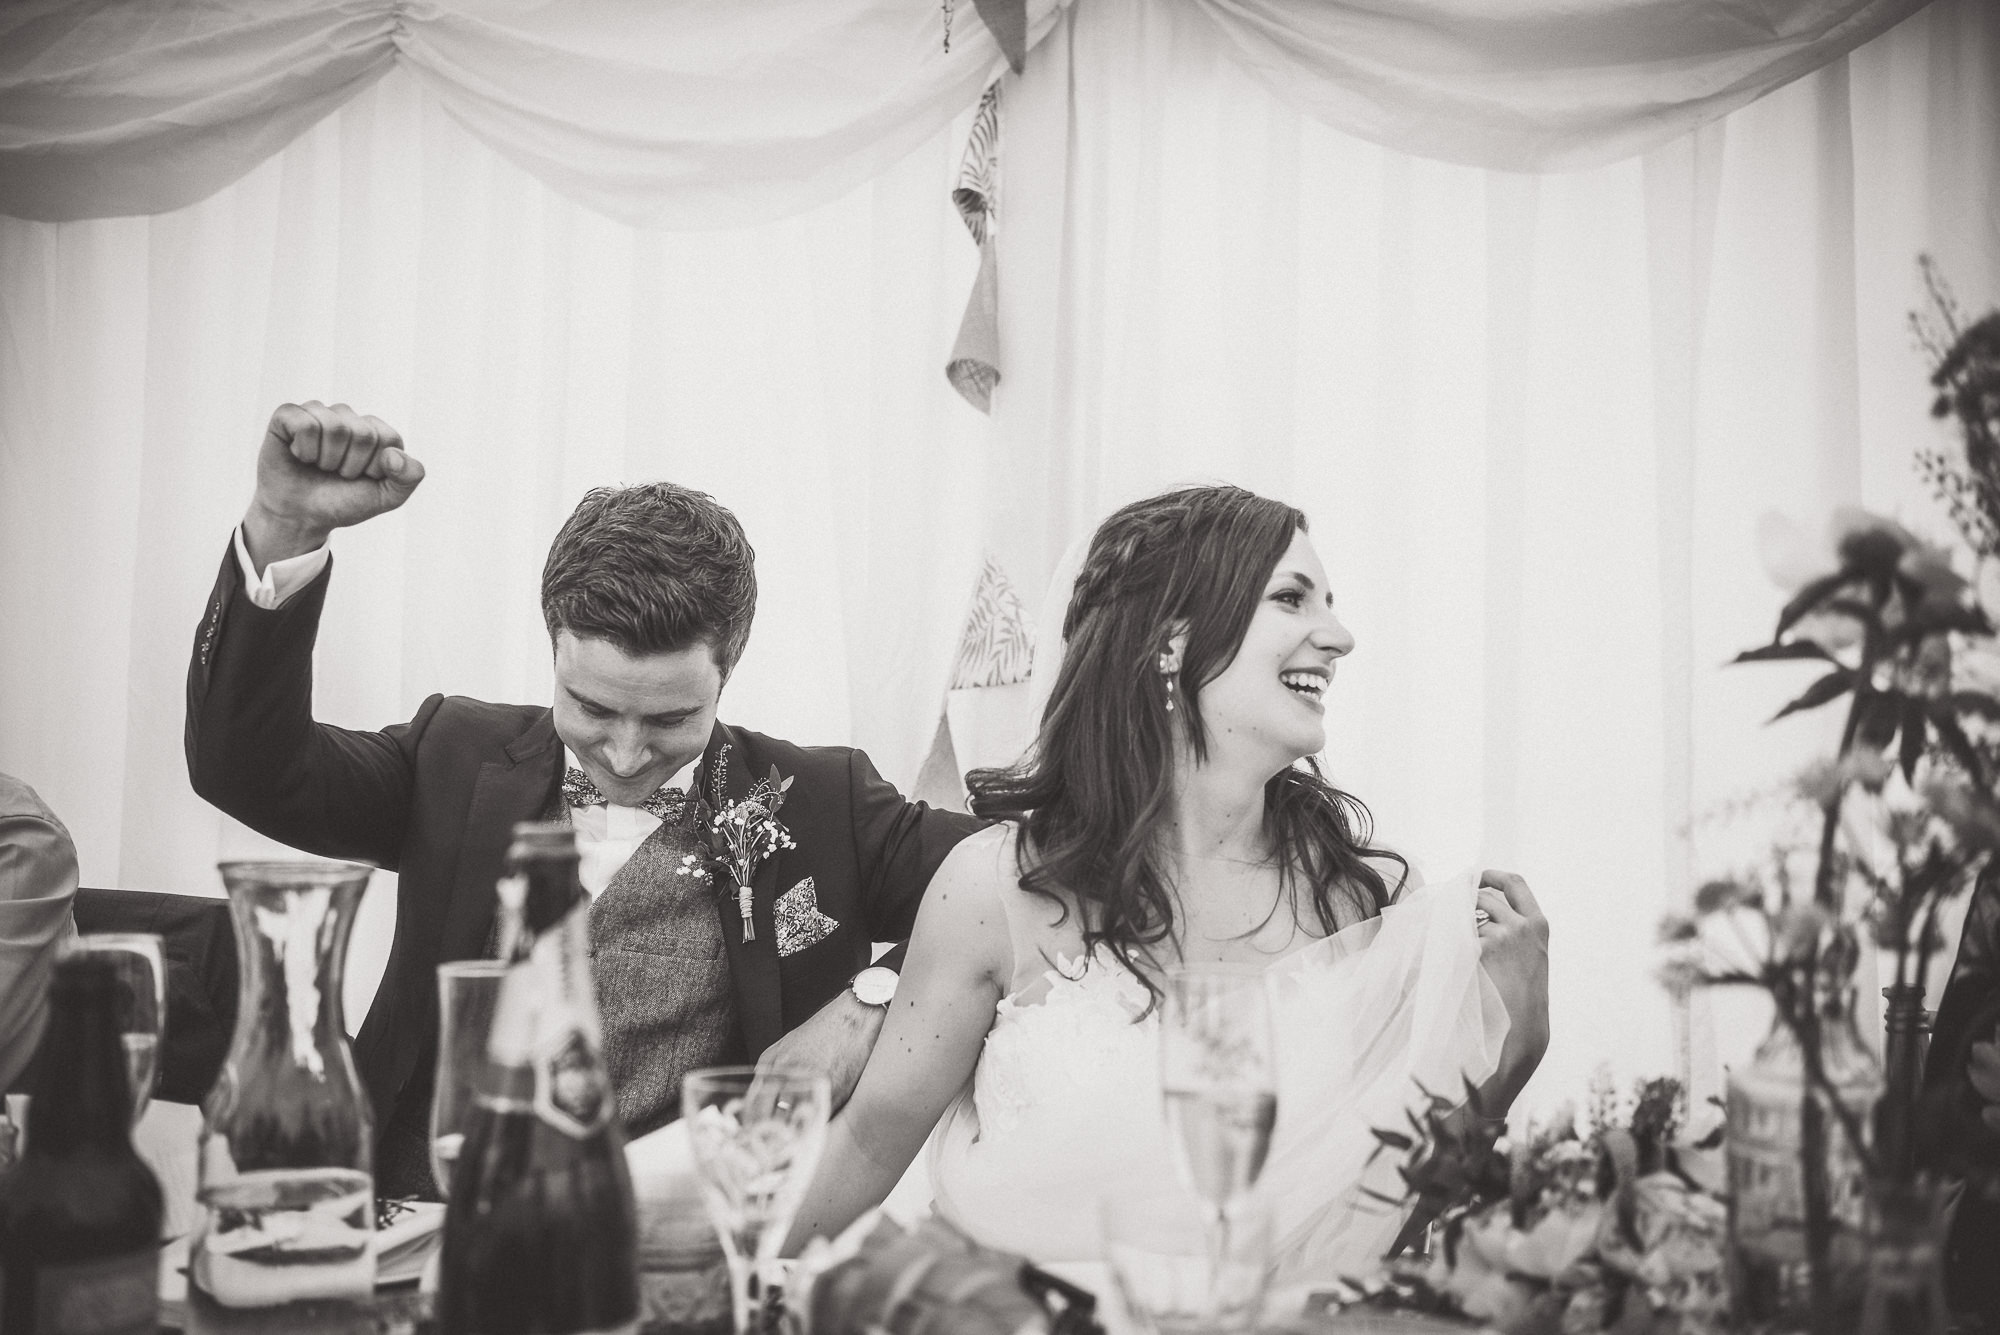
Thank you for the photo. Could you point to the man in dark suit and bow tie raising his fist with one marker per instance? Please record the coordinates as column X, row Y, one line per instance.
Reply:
column 649, row 597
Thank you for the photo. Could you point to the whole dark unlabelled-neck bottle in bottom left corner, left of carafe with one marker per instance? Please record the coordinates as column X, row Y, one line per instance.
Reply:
column 81, row 1210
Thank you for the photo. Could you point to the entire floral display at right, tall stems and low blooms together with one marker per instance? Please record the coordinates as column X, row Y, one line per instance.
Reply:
column 1621, row 1228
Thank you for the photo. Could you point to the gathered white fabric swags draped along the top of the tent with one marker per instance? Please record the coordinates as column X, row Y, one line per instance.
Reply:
column 699, row 115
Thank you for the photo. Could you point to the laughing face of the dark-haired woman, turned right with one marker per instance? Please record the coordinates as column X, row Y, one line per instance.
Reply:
column 1269, row 702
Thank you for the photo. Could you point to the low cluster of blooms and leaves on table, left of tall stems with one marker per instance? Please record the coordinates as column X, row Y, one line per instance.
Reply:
column 1613, row 1226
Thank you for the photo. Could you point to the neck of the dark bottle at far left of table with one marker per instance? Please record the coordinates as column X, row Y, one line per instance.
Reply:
column 83, row 1096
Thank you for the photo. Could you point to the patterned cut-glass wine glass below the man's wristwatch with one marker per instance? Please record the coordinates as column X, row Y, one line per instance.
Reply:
column 757, row 1140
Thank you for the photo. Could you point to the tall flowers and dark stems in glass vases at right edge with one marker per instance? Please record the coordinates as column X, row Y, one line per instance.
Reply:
column 1903, row 818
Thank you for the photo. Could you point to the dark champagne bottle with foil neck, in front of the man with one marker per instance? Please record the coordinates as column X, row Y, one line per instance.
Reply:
column 539, row 1232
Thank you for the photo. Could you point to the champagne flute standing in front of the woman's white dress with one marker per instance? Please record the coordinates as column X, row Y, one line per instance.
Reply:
column 1219, row 1078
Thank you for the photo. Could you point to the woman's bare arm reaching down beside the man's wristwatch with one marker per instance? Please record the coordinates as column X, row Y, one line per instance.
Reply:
column 931, row 1040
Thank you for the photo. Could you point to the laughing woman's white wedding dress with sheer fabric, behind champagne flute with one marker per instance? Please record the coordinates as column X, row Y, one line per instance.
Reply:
column 1065, row 1102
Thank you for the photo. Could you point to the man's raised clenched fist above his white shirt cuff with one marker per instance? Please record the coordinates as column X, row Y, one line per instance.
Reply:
column 323, row 469
